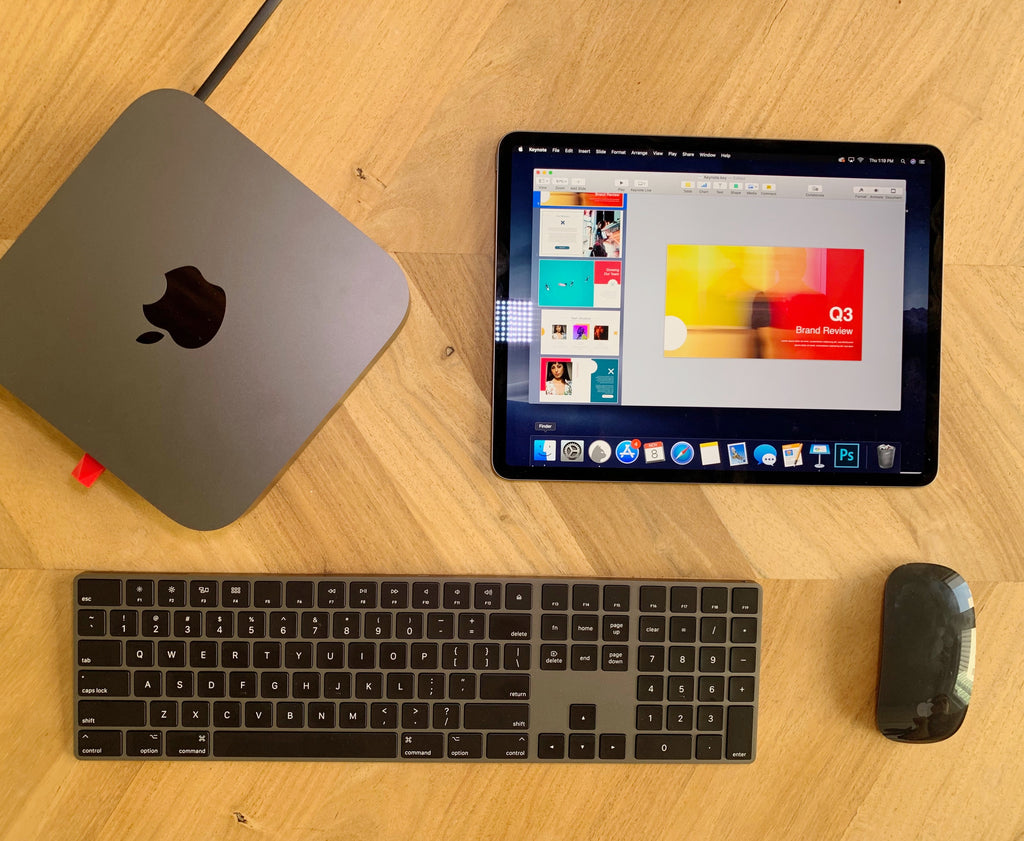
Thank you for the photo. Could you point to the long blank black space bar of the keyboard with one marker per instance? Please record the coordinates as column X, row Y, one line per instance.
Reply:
column 280, row 745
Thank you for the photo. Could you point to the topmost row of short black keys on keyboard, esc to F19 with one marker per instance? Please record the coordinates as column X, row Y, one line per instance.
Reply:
column 426, row 596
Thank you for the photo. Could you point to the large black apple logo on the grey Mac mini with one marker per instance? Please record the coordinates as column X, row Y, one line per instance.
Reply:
column 192, row 310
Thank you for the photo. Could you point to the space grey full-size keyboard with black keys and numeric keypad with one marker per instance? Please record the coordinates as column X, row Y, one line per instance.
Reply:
column 413, row 669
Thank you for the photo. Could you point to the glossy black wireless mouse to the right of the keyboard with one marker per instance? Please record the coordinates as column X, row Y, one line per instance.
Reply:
column 926, row 670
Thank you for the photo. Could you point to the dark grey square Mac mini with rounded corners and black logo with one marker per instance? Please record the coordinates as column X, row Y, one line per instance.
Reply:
column 189, row 313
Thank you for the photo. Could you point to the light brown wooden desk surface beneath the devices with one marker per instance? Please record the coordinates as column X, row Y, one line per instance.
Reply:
column 393, row 112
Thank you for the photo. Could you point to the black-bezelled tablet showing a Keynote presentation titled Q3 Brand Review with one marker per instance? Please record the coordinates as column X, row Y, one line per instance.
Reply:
column 699, row 310
